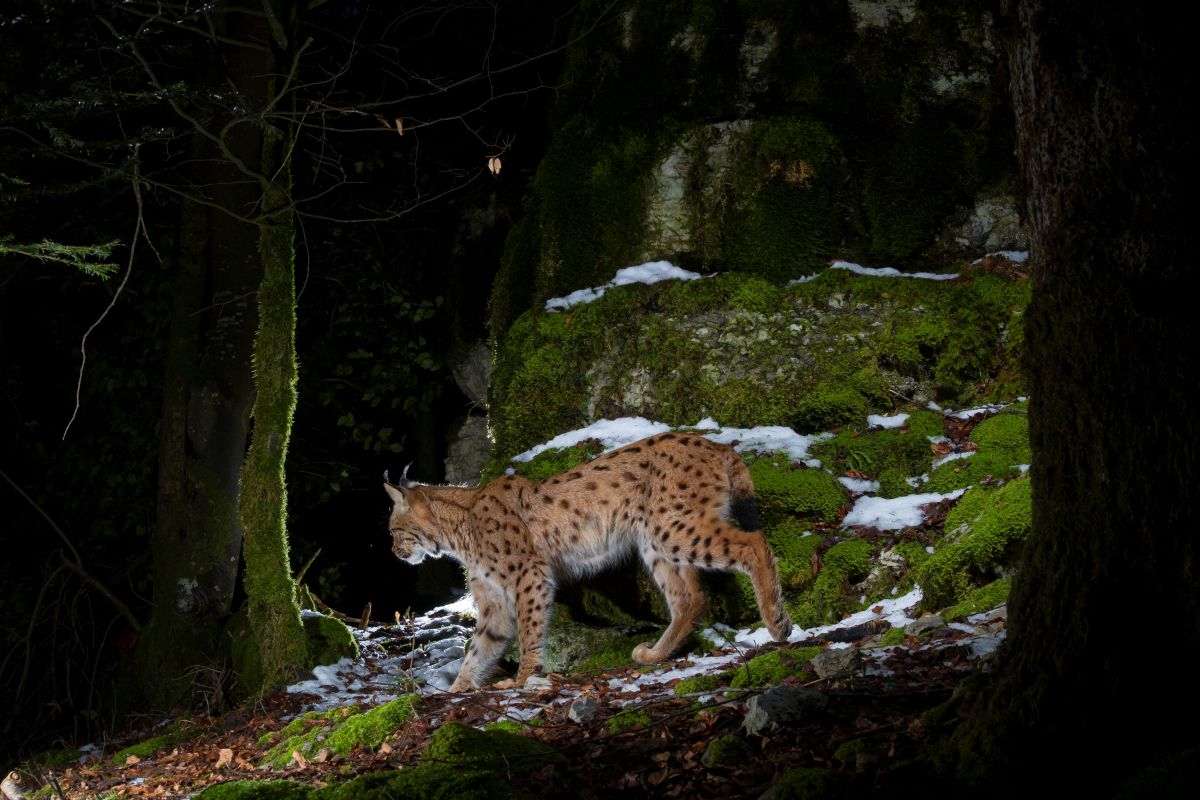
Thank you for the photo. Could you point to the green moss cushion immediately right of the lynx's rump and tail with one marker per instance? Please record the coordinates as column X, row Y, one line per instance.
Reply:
column 785, row 491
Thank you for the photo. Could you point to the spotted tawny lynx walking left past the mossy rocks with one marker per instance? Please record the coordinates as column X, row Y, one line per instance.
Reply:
column 667, row 497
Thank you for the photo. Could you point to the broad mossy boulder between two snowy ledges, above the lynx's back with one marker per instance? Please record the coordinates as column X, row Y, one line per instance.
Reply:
column 812, row 356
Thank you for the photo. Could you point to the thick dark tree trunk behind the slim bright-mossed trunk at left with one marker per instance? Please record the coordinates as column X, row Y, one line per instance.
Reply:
column 207, row 398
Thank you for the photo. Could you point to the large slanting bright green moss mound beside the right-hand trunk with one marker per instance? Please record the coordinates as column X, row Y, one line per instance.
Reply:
column 983, row 538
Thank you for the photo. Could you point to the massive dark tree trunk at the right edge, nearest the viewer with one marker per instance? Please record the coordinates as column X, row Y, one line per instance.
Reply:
column 1106, row 612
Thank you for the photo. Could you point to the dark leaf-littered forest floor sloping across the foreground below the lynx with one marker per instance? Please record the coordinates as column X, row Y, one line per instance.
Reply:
column 873, row 725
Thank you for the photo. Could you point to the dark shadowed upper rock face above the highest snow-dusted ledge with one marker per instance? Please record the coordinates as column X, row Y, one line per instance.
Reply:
column 770, row 139
